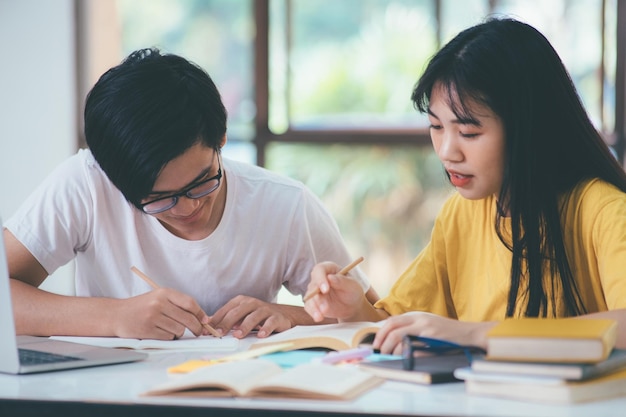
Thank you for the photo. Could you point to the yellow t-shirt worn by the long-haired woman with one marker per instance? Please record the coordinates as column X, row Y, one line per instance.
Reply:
column 464, row 272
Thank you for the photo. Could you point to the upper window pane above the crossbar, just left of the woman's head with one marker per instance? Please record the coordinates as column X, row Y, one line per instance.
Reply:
column 347, row 64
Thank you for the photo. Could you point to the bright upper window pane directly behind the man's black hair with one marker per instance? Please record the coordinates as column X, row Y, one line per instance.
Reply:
column 218, row 35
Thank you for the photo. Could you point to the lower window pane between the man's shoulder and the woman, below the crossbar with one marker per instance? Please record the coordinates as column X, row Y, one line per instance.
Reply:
column 384, row 198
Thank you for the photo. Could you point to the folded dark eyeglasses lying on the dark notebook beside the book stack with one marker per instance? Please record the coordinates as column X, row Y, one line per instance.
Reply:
column 412, row 344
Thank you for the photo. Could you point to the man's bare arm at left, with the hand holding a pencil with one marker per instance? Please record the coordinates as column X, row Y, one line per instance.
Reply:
column 159, row 314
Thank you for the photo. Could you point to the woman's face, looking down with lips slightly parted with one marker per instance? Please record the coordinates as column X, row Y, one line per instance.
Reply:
column 472, row 151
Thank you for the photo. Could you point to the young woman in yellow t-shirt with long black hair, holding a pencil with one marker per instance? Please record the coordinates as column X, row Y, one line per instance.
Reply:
column 538, row 224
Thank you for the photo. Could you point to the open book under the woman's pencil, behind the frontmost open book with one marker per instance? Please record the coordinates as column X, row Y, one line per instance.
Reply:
column 338, row 336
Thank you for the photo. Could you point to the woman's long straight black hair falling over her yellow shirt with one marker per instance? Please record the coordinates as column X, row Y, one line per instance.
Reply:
column 551, row 145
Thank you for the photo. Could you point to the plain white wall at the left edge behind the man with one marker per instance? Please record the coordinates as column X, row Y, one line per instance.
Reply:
column 37, row 101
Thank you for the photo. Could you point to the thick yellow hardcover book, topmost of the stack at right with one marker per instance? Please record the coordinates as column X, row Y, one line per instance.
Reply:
column 552, row 340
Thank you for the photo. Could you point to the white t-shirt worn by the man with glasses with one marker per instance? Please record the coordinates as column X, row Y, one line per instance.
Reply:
column 273, row 231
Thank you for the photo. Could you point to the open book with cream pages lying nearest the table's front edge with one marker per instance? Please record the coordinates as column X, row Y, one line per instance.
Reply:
column 263, row 378
